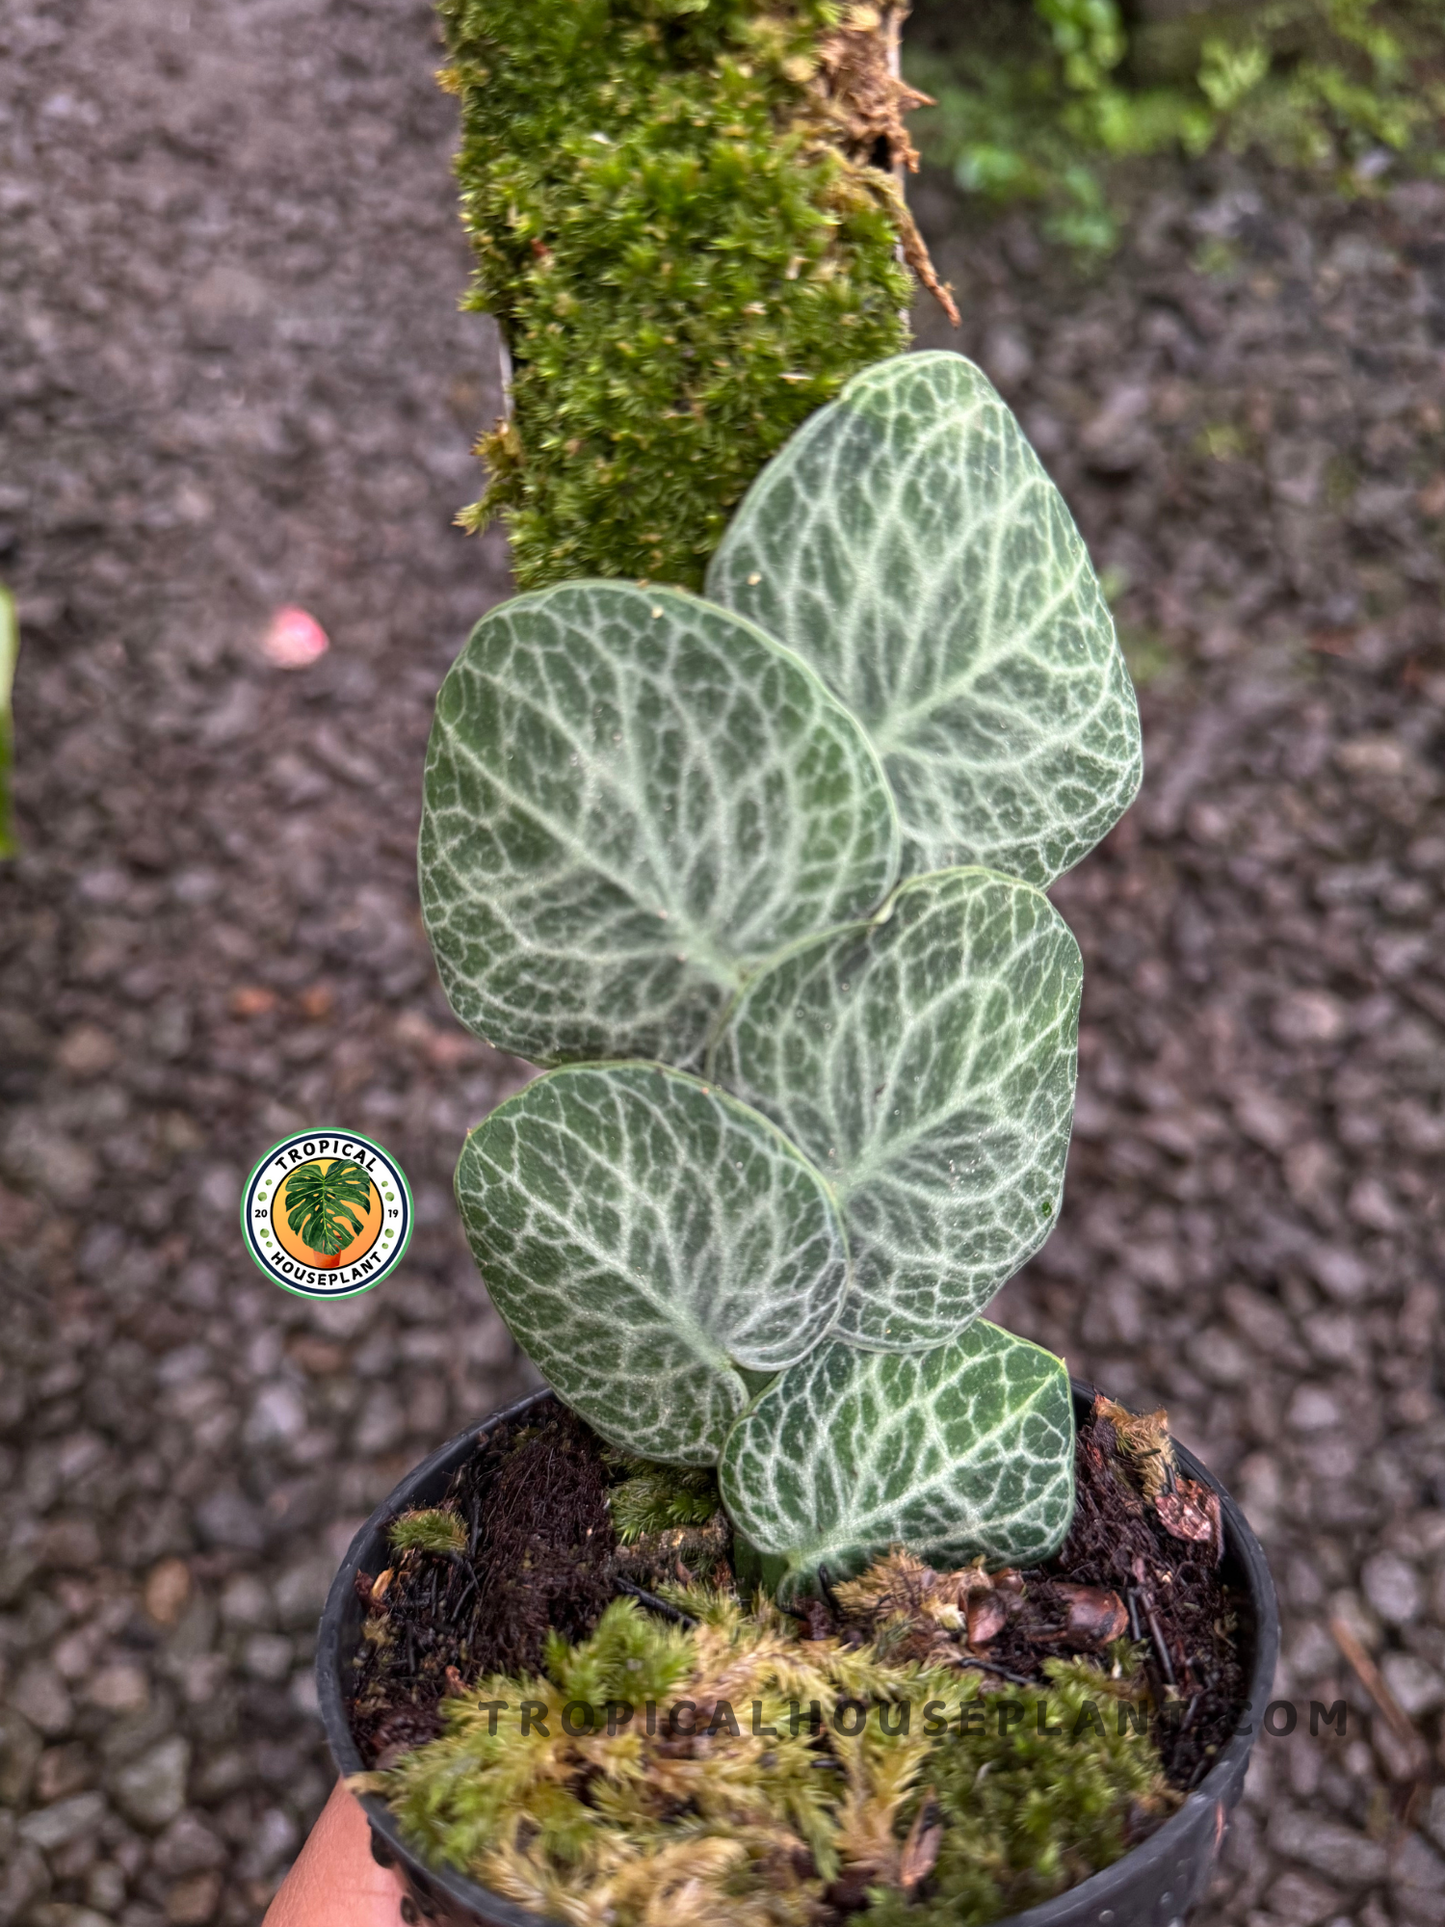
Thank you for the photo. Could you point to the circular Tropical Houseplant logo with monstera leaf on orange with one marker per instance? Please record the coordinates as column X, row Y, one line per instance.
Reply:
column 327, row 1215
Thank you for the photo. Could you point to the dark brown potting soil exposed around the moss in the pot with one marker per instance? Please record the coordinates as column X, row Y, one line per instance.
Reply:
column 542, row 1556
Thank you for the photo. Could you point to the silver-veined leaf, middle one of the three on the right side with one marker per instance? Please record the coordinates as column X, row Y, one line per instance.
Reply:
column 926, row 1065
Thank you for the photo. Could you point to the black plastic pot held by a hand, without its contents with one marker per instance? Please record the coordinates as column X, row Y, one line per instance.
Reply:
column 1153, row 1887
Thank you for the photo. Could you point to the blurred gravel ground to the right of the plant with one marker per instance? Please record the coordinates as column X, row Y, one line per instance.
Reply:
column 1246, row 415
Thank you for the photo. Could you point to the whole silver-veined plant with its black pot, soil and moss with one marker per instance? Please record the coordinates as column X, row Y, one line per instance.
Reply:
column 760, row 874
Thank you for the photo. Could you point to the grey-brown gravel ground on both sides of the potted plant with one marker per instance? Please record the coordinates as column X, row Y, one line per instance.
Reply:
column 236, row 379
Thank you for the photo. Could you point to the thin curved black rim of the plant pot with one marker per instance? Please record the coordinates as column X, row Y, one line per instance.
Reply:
column 1103, row 1891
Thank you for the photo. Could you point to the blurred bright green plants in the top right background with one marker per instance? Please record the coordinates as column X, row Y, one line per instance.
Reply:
column 1034, row 103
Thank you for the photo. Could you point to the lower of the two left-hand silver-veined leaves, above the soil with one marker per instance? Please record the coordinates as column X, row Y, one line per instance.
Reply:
column 646, row 1236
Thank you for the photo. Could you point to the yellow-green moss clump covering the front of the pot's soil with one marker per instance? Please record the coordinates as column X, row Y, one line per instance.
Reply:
column 735, row 1776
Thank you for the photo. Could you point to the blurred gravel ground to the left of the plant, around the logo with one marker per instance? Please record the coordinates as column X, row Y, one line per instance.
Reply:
column 236, row 379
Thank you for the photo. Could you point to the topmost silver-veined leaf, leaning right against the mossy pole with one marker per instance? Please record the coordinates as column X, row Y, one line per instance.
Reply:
column 908, row 544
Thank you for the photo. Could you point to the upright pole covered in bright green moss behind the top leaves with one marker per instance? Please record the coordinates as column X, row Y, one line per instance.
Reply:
column 689, row 230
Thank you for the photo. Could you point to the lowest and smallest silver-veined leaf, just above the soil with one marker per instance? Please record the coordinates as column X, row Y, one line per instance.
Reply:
column 957, row 1454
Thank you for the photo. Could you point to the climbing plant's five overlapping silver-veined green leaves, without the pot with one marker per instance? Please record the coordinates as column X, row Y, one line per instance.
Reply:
column 764, row 878
